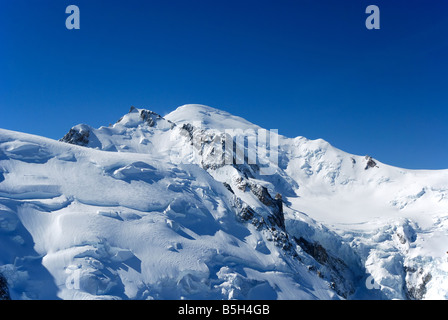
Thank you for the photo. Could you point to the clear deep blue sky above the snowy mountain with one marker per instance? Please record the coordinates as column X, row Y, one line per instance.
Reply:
column 308, row 68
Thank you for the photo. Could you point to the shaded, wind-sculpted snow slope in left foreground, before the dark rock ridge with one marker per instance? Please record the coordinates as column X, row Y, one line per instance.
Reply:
column 126, row 226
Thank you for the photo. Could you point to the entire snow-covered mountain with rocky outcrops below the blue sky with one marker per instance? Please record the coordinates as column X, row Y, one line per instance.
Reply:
column 159, row 207
